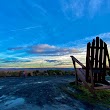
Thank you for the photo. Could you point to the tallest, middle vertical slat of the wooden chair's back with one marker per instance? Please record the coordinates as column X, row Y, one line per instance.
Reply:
column 96, row 59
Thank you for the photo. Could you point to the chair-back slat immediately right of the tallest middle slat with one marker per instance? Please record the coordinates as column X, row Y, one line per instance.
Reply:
column 100, row 61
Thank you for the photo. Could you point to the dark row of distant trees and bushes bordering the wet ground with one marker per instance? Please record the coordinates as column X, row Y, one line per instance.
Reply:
column 35, row 73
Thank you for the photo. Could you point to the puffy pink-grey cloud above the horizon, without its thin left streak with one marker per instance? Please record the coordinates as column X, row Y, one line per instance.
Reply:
column 49, row 50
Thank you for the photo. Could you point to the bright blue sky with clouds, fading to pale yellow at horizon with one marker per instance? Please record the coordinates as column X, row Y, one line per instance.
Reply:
column 44, row 33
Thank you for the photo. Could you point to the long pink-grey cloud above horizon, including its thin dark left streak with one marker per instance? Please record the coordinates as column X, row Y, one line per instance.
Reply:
column 47, row 50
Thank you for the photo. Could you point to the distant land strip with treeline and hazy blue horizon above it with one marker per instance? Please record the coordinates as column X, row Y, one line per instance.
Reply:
column 18, row 72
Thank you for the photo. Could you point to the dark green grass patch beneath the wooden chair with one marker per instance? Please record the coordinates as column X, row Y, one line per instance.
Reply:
column 101, row 97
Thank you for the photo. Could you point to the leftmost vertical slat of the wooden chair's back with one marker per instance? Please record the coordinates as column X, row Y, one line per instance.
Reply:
column 87, row 65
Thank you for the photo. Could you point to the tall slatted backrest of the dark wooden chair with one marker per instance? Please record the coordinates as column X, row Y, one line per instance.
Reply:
column 97, row 53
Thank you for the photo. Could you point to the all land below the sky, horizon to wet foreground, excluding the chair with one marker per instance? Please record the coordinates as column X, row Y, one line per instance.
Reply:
column 79, row 97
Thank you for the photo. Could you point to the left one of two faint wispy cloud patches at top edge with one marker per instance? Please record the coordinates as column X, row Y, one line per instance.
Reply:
column 72, row 9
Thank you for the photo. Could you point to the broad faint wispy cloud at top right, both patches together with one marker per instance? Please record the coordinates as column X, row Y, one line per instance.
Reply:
column 73, row 9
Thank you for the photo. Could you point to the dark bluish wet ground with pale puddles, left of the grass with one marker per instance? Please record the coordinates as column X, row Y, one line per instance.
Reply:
column 38, row 93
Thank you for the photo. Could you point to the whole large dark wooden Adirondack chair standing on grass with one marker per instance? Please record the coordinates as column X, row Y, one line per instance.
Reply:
column 96, row 66
